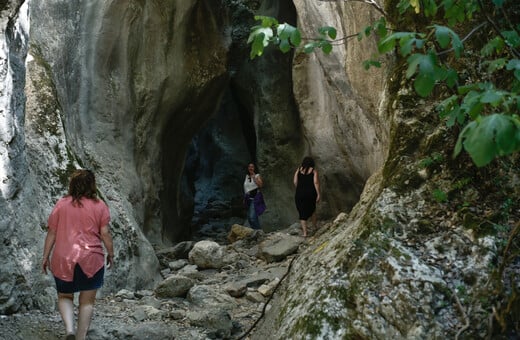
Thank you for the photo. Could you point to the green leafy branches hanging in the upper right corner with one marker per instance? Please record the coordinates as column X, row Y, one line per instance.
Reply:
column 487, row 108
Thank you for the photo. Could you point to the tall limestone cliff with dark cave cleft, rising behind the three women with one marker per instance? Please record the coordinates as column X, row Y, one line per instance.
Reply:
column 161, row 100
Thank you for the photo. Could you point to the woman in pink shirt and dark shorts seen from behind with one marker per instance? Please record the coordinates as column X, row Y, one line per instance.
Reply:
column 78, row 225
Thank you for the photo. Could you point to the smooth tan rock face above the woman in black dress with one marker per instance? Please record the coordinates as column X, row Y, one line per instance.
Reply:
column 341, row 105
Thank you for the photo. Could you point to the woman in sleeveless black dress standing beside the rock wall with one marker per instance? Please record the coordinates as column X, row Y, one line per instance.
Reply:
column 307, row 194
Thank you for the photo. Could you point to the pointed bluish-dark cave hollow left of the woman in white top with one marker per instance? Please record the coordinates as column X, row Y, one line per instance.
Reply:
column 216, row 164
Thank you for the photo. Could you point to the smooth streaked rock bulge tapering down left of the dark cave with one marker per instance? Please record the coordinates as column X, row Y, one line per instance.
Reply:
column 130, row 76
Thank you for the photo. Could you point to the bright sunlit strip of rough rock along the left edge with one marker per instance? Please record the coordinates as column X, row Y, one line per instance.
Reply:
column 17, row 223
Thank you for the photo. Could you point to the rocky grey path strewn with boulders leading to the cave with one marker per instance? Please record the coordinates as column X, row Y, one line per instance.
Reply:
column 219, row 303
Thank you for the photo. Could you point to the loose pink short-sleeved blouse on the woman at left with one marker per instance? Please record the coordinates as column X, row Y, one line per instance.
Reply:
column 77, row 236
